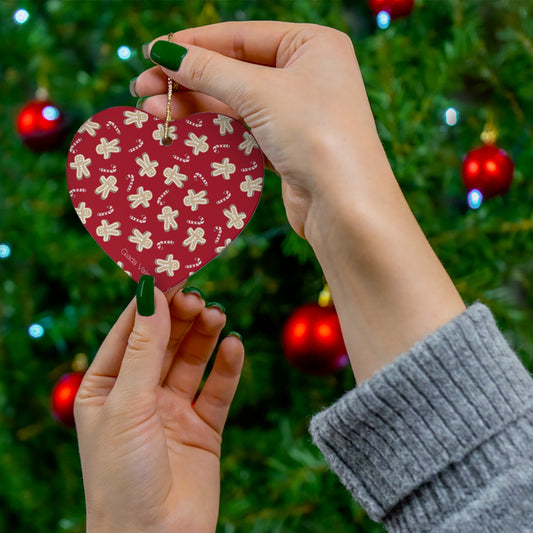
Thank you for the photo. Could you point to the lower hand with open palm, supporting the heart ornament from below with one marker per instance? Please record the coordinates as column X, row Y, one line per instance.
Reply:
column 150, row 452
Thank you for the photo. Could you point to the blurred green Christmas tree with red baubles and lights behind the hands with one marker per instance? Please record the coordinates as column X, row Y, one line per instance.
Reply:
column 440, row 75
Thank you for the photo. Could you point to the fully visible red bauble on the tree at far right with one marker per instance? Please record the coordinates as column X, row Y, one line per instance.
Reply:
column 488, row 169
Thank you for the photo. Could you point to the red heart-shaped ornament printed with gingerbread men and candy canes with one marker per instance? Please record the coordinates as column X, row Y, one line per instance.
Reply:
column 163, row 210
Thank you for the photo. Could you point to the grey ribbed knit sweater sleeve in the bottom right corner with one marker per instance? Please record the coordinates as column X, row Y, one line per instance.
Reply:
column 441, row 439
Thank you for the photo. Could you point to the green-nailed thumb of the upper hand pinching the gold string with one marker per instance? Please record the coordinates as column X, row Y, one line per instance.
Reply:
column 229, row 80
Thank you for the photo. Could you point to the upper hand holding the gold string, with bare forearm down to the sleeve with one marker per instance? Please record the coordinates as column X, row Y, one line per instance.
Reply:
column 299, row 88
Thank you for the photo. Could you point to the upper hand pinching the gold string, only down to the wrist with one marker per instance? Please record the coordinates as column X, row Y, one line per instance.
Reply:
column 310, row 114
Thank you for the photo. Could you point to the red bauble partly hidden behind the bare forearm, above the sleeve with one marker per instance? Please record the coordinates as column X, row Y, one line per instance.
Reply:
column 312, row 340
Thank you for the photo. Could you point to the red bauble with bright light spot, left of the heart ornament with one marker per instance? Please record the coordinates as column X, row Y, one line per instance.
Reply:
column 41, row 125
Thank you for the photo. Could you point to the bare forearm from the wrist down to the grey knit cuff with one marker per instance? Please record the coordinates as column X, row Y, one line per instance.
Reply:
column 389, row 288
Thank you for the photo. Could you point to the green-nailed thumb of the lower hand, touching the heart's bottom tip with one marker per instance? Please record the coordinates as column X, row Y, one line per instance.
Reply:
column 147, row 343
